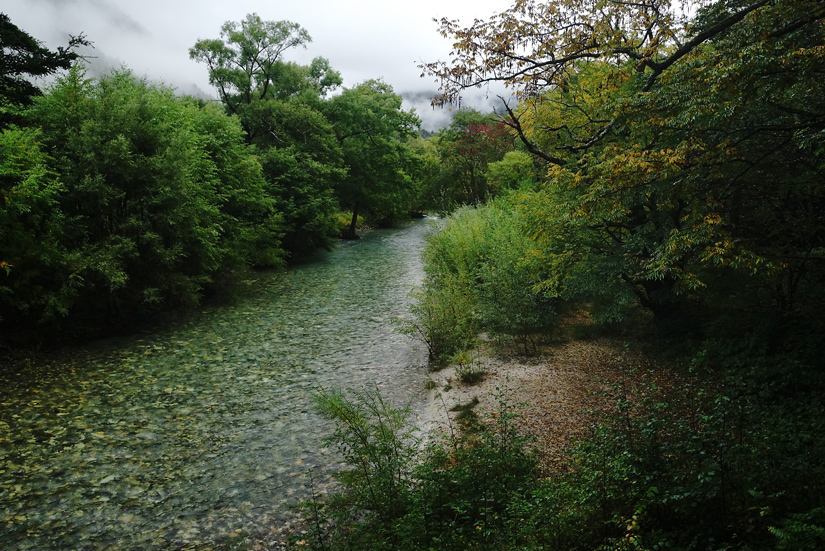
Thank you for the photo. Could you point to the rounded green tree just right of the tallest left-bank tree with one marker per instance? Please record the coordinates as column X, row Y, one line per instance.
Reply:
column 371, row 128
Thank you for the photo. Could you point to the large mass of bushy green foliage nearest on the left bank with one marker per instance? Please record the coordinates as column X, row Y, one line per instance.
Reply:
column 157, row 196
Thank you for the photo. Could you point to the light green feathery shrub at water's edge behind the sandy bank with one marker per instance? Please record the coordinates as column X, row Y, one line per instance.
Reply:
column 480, row 277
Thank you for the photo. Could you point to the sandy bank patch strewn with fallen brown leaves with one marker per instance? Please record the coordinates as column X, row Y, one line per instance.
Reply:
column 558, row 391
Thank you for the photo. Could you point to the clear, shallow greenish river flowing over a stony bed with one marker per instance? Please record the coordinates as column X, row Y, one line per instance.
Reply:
column 204, row 427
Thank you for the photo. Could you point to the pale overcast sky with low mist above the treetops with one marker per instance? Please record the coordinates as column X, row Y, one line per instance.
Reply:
column 363, row 39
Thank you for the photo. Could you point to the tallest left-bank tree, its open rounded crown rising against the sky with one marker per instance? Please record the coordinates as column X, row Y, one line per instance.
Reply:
column 280, row 105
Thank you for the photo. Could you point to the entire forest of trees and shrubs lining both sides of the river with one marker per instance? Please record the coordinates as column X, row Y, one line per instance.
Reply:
column 660, row 166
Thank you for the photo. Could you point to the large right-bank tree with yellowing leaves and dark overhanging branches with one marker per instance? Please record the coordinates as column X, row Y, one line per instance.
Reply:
column 666, row 138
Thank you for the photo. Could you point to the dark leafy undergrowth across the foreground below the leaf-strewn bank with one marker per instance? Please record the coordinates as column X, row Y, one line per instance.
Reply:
column 733, row 459
